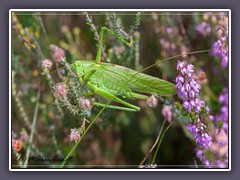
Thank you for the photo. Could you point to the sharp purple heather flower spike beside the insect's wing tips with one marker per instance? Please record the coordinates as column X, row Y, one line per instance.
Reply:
column 188, row 90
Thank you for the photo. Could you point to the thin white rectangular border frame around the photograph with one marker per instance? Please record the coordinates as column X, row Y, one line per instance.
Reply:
column 120, row 10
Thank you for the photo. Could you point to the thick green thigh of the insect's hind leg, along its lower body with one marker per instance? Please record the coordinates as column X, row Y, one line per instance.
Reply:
column 108, row 95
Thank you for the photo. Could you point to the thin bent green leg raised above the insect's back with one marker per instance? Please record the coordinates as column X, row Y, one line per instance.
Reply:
column 98, row 58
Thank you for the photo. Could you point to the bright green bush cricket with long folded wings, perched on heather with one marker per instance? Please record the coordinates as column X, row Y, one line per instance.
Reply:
column 116, row 82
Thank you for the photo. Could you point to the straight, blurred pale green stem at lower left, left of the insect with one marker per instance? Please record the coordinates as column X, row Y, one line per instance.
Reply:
column 32, row 130
